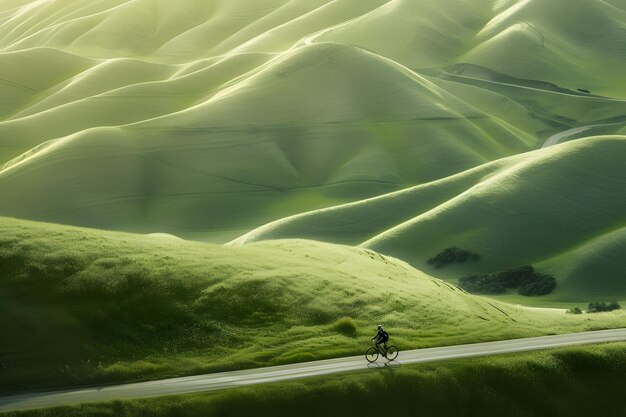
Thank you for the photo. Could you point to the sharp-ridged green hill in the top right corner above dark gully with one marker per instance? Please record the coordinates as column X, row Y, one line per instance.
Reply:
column 553, row 38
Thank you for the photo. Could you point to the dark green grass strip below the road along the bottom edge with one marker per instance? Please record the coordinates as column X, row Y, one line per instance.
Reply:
column 573, row 381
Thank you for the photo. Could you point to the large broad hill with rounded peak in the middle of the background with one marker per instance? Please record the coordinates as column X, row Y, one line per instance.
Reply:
column 245, row 156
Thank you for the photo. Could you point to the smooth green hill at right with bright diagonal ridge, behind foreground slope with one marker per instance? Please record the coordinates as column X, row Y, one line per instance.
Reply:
column 554, row 206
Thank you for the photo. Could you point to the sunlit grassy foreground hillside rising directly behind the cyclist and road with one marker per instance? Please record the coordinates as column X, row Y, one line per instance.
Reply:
column 85, row 306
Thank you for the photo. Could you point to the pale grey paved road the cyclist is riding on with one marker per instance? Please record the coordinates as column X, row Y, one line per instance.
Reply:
column 235, row 379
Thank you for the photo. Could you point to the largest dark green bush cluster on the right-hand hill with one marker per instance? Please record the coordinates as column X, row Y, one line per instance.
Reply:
column 523, row 278
